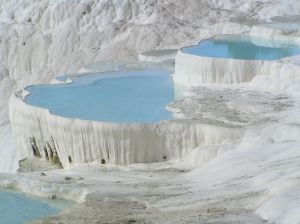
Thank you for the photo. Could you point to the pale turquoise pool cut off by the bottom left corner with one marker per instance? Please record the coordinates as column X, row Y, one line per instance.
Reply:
column 17, row 208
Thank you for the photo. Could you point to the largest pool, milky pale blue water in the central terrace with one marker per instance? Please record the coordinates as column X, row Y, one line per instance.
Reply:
column 139, row 96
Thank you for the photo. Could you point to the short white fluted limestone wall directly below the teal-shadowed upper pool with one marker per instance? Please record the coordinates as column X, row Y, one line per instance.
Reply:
column 192, row 70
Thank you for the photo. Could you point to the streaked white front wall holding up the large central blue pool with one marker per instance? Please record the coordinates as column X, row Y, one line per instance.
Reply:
column 74, row 141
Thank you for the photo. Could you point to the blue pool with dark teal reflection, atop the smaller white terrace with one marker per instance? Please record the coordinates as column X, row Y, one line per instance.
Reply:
column 243, row 47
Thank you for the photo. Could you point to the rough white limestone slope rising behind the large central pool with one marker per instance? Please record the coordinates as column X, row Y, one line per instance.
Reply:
column 43, row 39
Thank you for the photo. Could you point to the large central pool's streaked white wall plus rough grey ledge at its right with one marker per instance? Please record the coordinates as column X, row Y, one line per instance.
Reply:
column 196, row 124
